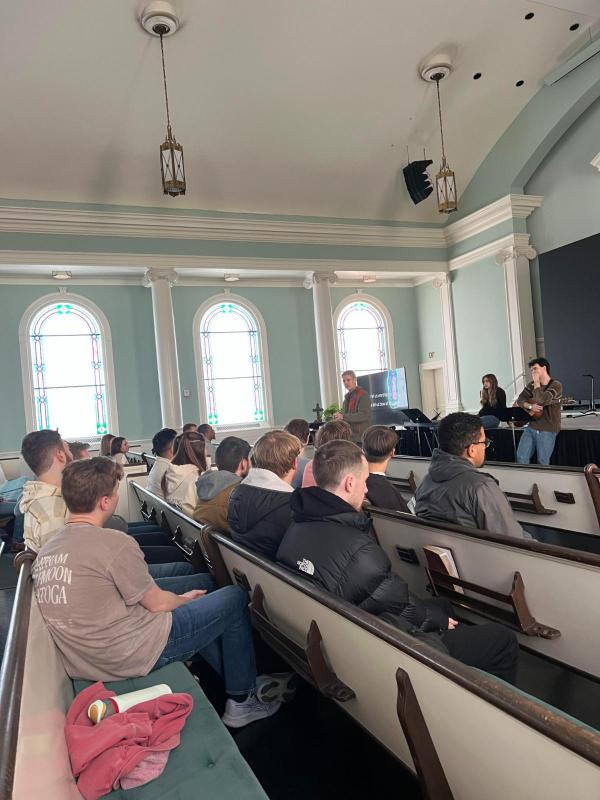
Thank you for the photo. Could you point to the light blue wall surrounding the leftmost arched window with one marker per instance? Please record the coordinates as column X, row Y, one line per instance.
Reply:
column 129, row 313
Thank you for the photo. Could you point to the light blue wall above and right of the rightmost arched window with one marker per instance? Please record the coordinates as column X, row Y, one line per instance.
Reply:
column 400, row 303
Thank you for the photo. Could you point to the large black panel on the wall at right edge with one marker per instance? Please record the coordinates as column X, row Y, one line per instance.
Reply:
column 570, row 284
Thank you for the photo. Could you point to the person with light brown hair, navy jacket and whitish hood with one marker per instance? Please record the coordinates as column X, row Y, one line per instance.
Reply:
column 259, row 508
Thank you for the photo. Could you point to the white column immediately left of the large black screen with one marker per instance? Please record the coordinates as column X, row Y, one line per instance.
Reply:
column 519, row 303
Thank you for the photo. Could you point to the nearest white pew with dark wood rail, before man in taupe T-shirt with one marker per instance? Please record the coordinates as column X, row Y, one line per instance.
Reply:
column 486, row 733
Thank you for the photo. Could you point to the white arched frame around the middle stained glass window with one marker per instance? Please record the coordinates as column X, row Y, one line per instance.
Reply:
column 264, row 356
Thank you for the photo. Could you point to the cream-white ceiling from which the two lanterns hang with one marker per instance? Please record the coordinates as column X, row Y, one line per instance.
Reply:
column 283, row 106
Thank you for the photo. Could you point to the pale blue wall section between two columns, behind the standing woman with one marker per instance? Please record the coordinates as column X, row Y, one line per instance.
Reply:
column 481, row 325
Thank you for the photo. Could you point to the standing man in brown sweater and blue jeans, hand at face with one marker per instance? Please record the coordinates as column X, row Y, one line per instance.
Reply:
column 540, row 398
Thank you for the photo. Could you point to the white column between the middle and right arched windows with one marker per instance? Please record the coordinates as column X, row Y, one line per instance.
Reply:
column 328, row 380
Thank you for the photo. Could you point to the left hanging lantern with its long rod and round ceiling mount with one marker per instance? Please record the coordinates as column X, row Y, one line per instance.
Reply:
column 159, row 19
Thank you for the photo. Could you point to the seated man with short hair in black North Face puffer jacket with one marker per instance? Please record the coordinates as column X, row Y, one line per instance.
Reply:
column 329, row 542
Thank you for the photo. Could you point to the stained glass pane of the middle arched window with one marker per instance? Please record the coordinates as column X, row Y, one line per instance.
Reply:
column 233, row 374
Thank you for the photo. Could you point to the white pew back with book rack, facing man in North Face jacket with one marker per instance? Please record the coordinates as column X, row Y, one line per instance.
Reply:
column 561, row 585
